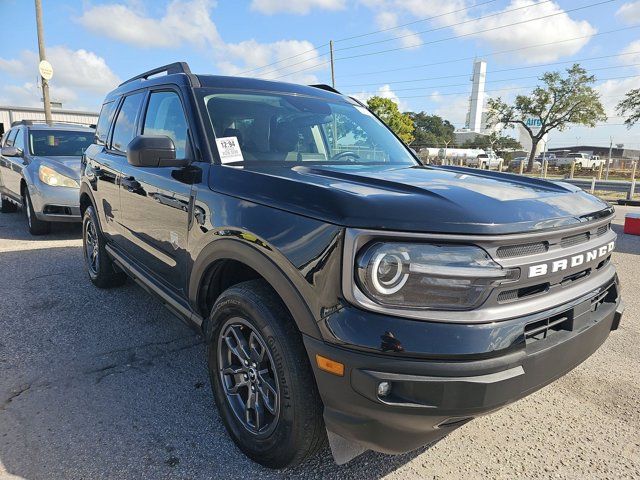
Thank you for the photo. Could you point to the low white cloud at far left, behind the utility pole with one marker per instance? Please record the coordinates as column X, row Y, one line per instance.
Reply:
column 76, row 74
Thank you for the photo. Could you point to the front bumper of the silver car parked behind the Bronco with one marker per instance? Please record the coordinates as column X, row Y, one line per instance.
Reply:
column 55, row 204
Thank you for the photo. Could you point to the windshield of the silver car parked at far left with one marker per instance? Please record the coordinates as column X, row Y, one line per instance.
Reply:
column 59, row 143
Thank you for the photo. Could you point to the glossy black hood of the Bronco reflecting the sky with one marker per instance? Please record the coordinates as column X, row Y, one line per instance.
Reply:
column 415, row 199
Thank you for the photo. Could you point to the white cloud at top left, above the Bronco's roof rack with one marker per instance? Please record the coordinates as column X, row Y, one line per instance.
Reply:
column 183, row 22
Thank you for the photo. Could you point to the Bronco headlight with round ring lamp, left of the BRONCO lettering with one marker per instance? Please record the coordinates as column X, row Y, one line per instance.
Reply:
column 428, row 276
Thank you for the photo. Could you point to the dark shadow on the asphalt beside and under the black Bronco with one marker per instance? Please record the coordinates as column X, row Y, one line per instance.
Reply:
column 108, row 384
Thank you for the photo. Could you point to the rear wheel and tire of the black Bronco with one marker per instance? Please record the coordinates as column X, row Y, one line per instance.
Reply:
column 102, row 271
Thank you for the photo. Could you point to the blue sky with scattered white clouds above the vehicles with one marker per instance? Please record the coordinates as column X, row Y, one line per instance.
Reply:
column 417, row 52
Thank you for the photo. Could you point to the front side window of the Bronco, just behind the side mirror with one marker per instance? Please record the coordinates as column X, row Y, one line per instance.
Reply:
column 165, row 116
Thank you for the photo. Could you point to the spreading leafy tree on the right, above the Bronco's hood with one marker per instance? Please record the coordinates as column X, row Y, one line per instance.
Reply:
column 562, row 100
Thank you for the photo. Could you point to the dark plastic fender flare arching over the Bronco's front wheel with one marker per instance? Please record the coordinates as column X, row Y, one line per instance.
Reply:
column 232, row 249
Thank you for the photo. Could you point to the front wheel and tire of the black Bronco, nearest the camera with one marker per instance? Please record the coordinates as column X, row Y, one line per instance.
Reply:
column 261, row 378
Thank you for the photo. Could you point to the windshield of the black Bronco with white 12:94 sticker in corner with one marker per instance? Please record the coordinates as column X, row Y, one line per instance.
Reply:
column 276, row 128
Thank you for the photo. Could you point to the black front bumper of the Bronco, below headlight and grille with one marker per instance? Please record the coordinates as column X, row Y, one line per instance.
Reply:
column 461, row 378
